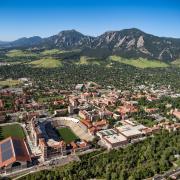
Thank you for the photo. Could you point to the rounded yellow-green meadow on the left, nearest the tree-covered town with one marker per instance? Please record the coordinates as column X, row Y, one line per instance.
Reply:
column 46, row 63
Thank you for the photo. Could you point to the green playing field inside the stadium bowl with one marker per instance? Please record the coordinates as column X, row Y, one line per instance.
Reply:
column 67, row 135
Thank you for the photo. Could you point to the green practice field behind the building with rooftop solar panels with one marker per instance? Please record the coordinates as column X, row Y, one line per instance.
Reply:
column 14, row 130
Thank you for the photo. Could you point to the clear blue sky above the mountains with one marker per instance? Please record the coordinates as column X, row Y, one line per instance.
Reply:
column 26, row 18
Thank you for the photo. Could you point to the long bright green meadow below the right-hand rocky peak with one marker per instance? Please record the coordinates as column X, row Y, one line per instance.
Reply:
column 139, row 63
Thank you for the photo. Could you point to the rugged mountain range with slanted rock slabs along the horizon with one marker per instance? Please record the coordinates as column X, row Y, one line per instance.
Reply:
column 129, row 43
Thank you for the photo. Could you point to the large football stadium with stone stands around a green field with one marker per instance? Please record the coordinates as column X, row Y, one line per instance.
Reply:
column 58, row 136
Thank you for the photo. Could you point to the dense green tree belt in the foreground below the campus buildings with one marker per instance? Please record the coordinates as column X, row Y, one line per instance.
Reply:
column 138, row 161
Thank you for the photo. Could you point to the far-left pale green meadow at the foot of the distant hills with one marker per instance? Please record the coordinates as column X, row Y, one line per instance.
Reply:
column 20, row 53
